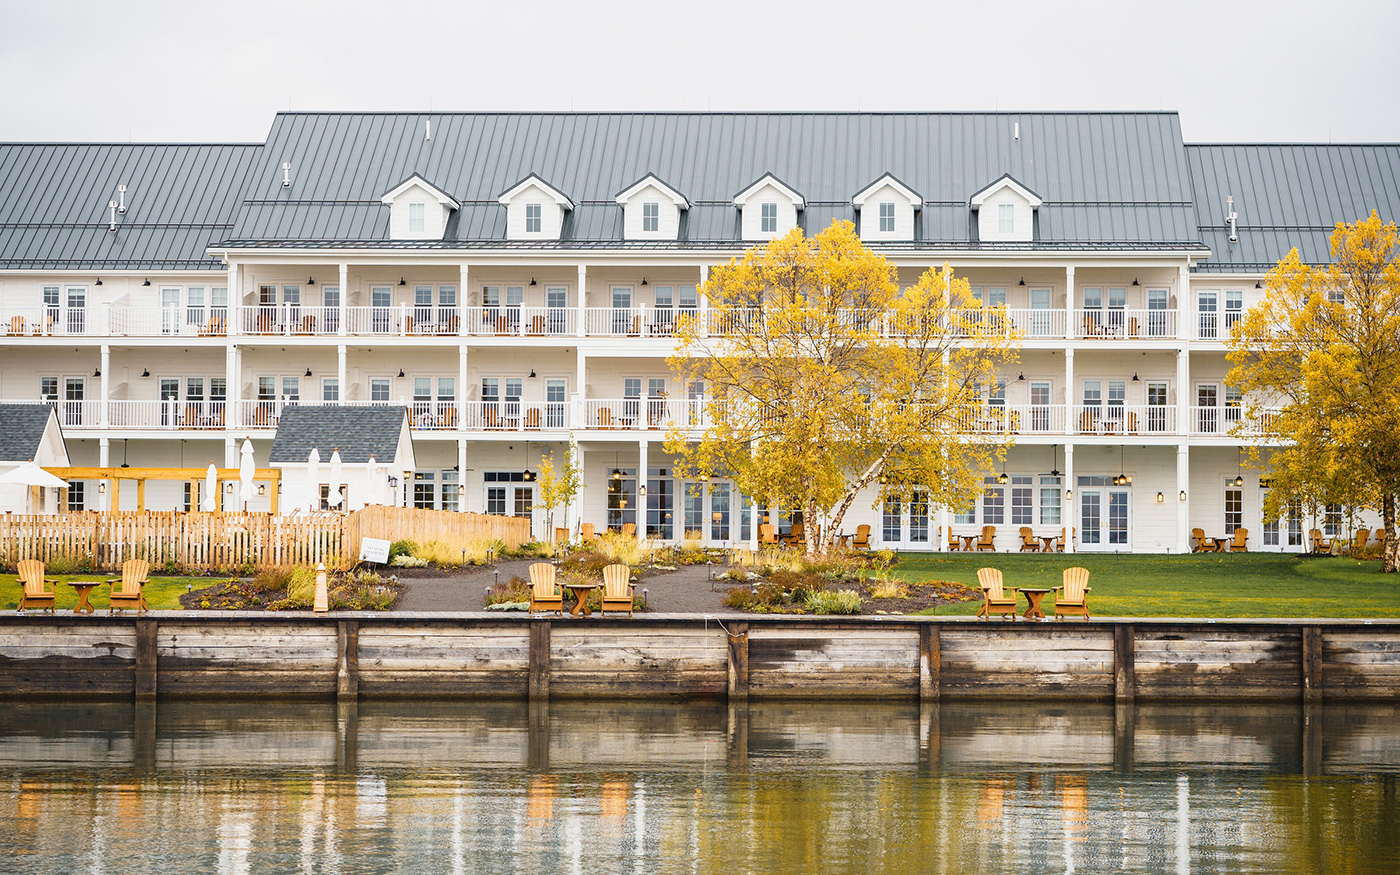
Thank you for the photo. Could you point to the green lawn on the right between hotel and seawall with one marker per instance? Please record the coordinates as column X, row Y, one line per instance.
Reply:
column 1214, row 586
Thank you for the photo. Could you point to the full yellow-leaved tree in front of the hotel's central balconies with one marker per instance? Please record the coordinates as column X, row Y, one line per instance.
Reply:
column 822, row 379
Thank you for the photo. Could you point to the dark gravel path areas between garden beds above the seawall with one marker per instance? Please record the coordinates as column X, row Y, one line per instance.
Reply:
column 688, row 590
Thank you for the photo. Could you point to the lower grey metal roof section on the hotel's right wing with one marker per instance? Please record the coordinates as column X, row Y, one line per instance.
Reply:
column 1289, row 197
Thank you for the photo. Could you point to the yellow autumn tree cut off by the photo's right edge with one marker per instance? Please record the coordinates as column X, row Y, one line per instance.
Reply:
column 1324, row 348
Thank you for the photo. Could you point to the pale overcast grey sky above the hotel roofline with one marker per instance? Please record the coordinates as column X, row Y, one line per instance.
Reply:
column 218, row 72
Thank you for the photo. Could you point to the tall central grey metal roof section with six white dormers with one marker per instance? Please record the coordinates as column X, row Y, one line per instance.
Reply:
column 1105, row 177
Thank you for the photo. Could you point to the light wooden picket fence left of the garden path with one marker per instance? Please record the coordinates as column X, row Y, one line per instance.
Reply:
column 104, row 541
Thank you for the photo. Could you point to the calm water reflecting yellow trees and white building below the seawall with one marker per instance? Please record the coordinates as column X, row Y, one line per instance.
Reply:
column 682, row 787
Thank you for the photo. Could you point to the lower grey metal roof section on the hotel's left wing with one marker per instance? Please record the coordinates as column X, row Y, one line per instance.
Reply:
column 180, row 199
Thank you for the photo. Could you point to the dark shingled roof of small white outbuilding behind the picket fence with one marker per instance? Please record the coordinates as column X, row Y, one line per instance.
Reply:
column 356, row 432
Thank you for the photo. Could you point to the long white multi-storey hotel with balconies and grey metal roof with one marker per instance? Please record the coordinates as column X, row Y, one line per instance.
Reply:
column 513, row 279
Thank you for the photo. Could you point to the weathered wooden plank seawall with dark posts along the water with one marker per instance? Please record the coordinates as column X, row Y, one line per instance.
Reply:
column 373, row 656
